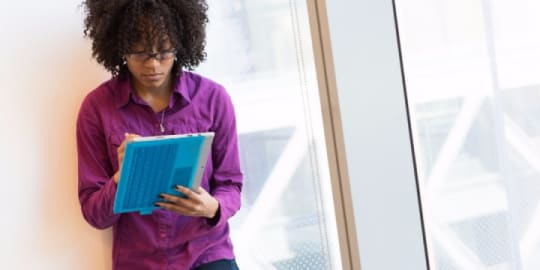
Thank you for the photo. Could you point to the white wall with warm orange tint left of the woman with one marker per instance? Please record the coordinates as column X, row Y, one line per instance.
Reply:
column 45, row 71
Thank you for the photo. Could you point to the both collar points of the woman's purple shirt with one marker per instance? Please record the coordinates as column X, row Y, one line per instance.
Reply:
column 125, row 93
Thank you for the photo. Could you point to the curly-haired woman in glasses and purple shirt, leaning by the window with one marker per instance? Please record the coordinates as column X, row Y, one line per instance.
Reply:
column 148, row 46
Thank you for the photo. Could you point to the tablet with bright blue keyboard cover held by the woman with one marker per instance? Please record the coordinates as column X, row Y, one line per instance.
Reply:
column 155, row 165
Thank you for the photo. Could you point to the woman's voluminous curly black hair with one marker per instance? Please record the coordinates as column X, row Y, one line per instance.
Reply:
column 114, row 26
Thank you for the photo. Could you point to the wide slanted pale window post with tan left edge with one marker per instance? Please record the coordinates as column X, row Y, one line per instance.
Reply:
column 367, row 129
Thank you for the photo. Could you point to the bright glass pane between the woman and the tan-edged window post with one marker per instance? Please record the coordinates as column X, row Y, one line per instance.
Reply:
column 260, row 50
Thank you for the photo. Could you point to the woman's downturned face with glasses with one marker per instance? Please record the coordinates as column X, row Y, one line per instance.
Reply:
column 151, row 70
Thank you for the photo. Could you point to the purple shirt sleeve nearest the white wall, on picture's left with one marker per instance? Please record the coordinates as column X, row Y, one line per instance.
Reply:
column 96, row 185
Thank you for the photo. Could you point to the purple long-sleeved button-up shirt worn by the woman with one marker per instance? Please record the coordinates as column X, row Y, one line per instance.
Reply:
column 162, row 240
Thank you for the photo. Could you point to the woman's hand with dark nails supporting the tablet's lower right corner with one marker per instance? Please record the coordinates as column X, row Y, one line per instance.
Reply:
column 198, row 203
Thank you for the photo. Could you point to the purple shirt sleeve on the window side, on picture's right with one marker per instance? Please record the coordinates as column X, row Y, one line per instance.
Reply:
column 226, row 183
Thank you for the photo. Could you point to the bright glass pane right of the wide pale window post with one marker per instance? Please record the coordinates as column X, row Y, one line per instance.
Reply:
column 472, row 70
